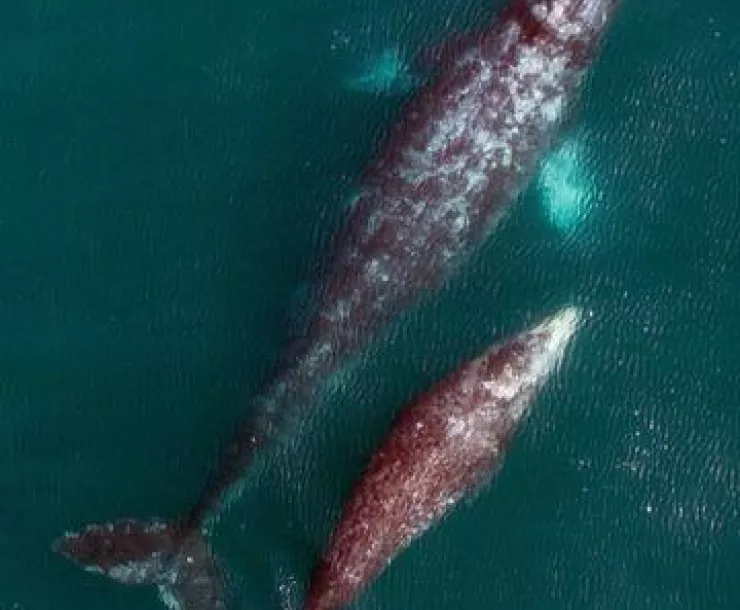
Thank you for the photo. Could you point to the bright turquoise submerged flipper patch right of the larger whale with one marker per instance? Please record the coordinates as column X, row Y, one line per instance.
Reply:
column 566, row 187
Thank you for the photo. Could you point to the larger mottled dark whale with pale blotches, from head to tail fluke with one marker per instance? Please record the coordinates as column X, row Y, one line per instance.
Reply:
column 465, row 146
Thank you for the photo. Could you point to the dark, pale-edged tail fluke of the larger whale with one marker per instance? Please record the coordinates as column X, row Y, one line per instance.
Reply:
column 178, row 561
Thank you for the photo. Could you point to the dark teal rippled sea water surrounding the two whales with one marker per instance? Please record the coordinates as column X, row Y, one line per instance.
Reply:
column 170, row 174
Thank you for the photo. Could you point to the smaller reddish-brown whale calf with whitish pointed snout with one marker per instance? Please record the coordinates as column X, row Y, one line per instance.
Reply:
column 446, row 444
